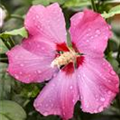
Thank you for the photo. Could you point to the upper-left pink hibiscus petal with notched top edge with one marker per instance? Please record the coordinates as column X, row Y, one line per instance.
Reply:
column 47, row 22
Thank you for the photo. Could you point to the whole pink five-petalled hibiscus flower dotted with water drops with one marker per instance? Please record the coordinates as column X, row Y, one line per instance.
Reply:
column 73, row 76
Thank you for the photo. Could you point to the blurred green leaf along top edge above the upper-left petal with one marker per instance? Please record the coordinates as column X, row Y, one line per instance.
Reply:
column 47, row 2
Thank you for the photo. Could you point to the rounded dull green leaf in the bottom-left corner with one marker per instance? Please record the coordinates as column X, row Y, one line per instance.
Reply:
column 11, row 110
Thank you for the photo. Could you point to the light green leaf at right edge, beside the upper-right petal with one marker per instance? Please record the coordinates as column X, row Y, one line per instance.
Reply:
column 114, row 11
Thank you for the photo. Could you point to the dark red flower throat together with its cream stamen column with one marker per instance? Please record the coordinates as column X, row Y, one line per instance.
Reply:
column 68, row 59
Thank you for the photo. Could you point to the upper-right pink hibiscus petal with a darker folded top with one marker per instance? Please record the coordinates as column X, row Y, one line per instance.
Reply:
column 90, row 33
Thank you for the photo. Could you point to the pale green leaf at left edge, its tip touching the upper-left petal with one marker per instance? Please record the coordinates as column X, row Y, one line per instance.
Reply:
column 22, row 32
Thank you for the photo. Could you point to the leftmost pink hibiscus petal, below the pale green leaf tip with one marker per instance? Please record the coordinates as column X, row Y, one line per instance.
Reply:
column 30, row 61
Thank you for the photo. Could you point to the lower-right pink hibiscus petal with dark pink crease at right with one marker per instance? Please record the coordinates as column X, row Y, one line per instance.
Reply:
column 98, row 84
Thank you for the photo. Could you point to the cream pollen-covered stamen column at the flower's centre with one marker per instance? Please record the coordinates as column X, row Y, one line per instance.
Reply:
column 64, row 58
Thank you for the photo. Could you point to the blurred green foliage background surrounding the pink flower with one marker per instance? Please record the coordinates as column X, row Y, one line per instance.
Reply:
column 17, row 98
